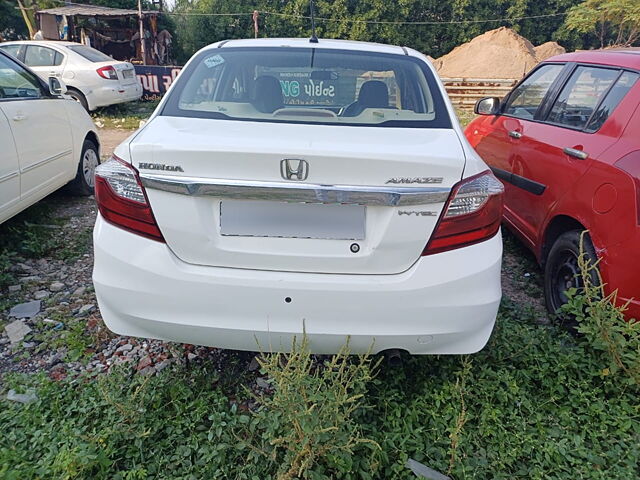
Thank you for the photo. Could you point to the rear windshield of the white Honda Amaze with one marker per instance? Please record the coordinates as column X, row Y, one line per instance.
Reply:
column 309, row 85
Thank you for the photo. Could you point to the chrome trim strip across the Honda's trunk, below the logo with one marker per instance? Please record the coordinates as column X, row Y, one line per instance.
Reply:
column 297, row 192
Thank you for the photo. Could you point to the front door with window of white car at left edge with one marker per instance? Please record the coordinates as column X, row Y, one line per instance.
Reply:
column 40, row 129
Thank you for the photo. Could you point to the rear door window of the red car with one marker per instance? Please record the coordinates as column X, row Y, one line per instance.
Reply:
column 580, row 96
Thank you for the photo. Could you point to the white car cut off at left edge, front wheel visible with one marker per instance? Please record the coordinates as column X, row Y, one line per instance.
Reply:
column 46, row 141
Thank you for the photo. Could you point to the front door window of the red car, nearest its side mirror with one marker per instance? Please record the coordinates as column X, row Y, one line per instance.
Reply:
column 527, row 97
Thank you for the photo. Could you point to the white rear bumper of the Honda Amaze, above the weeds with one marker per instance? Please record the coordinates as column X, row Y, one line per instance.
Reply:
column 444, row 304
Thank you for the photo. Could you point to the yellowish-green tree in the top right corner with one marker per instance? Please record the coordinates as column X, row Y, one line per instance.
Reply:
column 615, row 22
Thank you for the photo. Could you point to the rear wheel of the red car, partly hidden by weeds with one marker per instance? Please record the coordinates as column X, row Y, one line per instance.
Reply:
column 562, row 272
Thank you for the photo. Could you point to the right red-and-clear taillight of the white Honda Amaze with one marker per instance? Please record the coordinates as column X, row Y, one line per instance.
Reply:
column 472, row 214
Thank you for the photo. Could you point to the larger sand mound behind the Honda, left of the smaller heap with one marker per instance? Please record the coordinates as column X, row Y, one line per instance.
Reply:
column 499, row 53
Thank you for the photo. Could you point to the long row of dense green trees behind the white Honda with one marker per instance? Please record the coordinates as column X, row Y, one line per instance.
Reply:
column 449, row 23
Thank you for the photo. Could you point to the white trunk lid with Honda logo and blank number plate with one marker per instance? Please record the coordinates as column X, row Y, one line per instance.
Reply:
column 261, row 231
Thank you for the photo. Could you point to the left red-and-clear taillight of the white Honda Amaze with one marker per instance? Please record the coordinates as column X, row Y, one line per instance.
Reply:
column 122, row 200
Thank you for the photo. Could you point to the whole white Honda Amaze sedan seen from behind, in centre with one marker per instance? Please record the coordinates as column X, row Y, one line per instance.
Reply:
column 284, row 186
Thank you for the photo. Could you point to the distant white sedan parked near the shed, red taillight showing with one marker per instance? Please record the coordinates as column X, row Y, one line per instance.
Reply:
column 92, row 78
